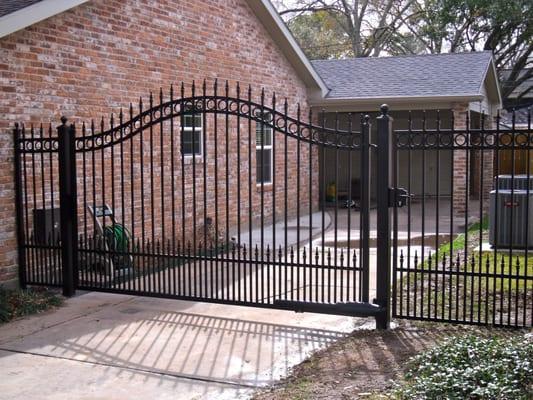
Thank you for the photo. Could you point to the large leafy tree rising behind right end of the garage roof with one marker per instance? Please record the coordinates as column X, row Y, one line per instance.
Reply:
column 501, row 26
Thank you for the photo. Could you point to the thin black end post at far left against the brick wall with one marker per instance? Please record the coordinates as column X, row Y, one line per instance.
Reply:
column 21, row 241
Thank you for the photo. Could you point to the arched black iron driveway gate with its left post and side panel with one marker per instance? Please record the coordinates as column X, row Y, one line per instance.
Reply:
column 213, row 197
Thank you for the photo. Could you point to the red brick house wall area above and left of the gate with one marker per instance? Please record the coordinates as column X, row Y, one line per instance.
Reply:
column 100, row 56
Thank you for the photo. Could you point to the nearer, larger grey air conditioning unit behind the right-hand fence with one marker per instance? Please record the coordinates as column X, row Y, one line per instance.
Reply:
column 509, row 218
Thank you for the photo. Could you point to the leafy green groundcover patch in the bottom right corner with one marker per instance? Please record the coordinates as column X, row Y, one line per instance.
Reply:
column 472, row 367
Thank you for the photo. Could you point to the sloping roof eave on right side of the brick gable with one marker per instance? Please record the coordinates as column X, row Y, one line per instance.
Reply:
column 277, row 29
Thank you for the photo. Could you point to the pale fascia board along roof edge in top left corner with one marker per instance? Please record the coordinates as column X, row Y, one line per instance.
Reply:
column 32, row 14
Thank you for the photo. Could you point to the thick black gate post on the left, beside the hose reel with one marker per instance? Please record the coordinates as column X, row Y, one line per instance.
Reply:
column 68, row 206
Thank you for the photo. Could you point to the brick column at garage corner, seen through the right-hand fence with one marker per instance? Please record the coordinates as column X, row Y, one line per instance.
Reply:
column 460, row 182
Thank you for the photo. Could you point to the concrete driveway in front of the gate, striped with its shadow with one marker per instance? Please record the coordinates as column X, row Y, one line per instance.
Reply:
column 103, row 346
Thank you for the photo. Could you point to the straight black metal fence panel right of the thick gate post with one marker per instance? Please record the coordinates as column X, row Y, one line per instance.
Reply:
column 464, row 256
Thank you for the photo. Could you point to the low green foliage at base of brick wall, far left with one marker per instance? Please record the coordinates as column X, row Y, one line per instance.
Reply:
column 17, row 303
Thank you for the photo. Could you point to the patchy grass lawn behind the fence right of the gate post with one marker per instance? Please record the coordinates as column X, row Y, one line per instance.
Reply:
column 458, row 281
